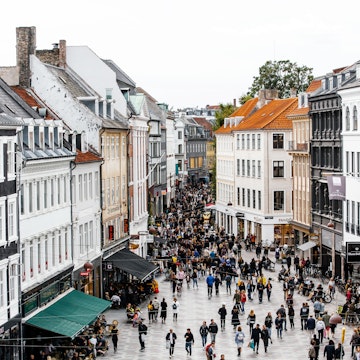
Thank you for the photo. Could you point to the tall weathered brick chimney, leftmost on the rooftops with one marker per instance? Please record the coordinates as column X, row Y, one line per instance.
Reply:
column 25, row 46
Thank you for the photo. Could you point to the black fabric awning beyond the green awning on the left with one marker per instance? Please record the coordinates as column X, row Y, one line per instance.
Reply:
column 133, row 264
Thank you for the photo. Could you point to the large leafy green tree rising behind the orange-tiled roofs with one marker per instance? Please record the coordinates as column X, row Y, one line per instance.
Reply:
column 283, row 76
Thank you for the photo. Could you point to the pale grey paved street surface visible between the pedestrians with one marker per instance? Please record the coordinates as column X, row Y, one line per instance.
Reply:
column 195, row 307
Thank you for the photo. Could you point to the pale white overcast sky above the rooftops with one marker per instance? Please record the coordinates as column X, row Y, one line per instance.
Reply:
column 193, row 52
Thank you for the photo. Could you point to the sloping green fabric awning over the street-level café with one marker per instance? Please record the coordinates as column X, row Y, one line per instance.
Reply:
column 70, row 315
